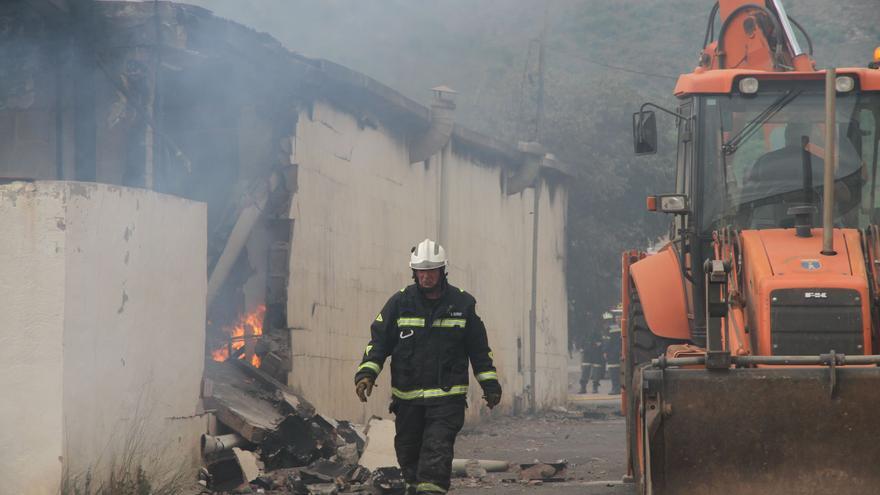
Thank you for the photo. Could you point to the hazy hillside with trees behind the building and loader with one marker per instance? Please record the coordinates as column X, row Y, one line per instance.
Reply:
column 603, row 59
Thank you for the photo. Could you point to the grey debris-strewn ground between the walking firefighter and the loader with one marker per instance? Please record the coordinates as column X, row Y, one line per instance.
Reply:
column 590, row 435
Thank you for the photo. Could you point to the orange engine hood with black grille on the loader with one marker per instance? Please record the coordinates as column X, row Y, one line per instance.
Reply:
column 799, row 301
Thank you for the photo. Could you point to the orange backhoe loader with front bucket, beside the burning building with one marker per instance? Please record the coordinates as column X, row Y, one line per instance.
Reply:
column 750, row 342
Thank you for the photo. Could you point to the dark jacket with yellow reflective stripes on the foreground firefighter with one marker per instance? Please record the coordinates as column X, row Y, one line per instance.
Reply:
column 429, row 348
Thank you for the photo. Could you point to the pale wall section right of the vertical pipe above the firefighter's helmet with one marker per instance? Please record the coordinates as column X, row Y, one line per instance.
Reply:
column 489, row 238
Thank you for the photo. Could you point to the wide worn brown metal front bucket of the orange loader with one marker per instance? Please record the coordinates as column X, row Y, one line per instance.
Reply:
column 780, row 430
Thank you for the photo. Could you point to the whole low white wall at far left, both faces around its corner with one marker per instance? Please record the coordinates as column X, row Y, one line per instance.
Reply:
column 121, row 319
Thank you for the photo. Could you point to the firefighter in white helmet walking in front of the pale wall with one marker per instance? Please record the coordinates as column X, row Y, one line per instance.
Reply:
column 431, row 330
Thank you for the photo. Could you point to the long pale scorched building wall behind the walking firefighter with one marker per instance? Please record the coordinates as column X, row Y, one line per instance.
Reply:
column 360, row 206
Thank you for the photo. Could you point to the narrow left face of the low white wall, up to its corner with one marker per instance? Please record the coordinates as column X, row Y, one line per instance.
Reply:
column 32, row 254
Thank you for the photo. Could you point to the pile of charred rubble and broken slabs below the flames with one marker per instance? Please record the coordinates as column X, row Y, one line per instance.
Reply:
column 266, row 439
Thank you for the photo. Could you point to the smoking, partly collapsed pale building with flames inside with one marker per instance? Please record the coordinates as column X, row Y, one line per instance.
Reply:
column 272, row 200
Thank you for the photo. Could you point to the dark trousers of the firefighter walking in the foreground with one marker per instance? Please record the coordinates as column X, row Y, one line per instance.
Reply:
column 424, row 442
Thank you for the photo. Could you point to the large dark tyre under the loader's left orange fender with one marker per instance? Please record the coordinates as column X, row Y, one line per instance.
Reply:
column 642, row 345
